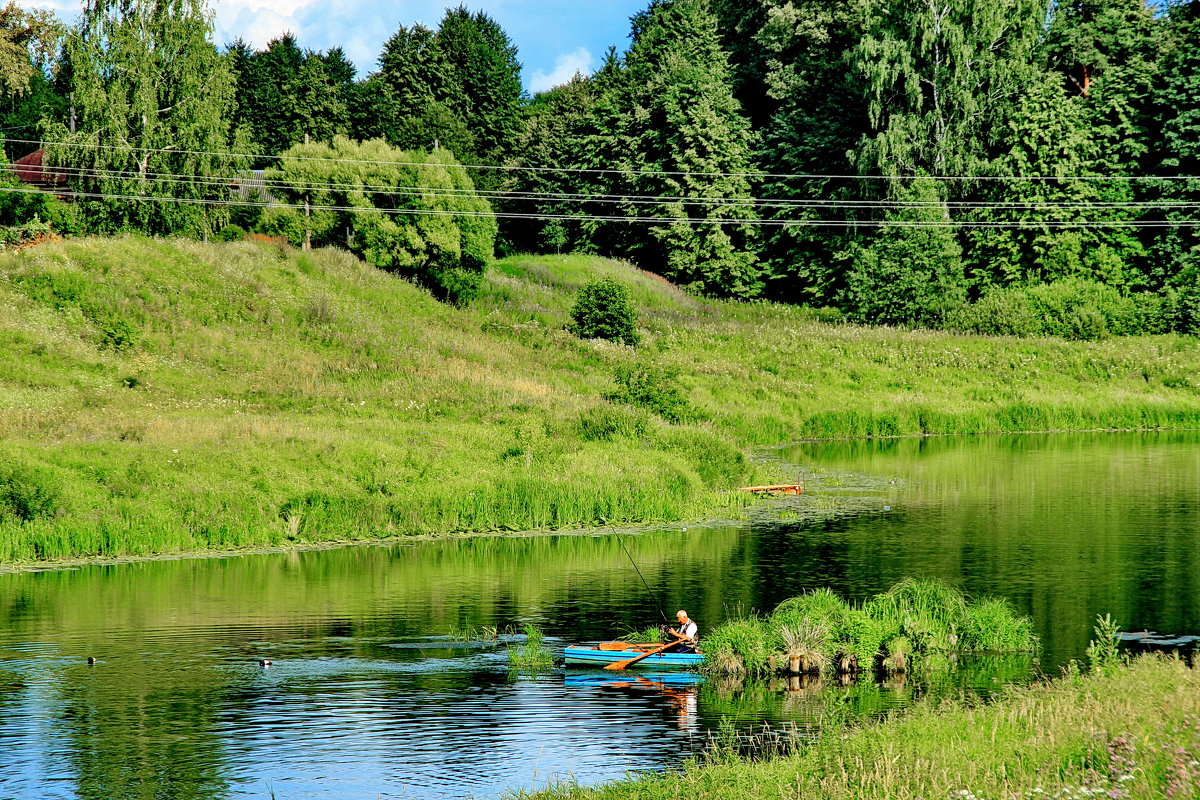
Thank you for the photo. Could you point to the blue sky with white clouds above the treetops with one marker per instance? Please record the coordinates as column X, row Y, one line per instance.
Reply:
column 554, row 39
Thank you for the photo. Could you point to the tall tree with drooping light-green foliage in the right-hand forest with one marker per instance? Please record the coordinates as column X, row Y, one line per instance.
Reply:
column 939, row 80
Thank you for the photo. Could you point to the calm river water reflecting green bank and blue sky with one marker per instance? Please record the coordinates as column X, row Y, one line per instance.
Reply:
column 365, row 701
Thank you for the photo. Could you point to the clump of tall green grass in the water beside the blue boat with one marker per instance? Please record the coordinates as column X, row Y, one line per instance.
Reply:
column 895, row 631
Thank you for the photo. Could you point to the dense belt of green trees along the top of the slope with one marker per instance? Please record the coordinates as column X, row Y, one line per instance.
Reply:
column 1019, row 167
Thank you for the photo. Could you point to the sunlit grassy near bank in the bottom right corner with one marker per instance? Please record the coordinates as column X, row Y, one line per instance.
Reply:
column 1135, row 733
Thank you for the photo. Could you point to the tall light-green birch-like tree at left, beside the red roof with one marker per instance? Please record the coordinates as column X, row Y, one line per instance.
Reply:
column 154, row 107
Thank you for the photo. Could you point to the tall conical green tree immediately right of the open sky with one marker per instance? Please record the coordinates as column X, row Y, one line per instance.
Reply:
column 673, row 123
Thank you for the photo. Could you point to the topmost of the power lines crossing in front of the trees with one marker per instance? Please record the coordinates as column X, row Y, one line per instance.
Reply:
column 517, row 169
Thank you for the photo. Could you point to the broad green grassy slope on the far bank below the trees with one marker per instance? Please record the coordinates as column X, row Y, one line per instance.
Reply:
column 172, row 396
